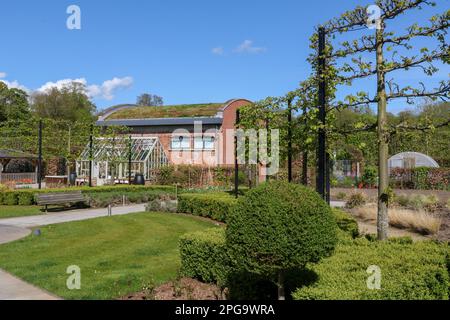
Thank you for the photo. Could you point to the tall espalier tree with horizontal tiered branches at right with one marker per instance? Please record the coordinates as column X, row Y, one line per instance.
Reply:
column 379, row 44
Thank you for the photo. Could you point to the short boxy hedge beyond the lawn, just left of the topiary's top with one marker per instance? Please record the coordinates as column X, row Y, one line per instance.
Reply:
column 211, row 205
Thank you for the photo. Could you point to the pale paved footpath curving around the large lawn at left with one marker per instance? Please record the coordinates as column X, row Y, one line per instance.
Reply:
column 11, row 229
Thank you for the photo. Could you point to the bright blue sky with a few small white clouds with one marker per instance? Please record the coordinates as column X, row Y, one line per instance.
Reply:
column 185, row 51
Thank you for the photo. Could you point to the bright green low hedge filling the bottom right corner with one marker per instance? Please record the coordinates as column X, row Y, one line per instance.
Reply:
column 409, row 271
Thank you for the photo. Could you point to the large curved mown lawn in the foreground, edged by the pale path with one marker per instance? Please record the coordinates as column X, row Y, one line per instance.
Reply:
column 117, row 255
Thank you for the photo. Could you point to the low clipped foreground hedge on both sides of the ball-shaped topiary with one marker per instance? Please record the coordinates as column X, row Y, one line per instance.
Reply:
column 408, row 270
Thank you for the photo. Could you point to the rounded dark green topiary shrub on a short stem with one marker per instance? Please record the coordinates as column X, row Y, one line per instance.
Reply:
column 279, row 226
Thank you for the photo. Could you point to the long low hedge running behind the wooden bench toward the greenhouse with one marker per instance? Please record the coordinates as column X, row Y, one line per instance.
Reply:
column 27, row 196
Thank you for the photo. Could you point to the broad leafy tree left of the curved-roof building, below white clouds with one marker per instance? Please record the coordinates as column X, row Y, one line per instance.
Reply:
column 68, row 103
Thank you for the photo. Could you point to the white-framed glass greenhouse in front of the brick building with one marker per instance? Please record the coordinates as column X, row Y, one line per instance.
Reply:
column 111, row 158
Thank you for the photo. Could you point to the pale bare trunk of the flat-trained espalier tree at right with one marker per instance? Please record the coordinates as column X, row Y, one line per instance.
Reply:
column 383, row 141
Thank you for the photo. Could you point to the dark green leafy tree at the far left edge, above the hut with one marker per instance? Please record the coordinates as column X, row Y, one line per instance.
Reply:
column 13, row 103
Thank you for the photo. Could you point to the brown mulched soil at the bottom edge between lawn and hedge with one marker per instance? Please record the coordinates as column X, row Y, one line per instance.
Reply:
column 183, row 289
